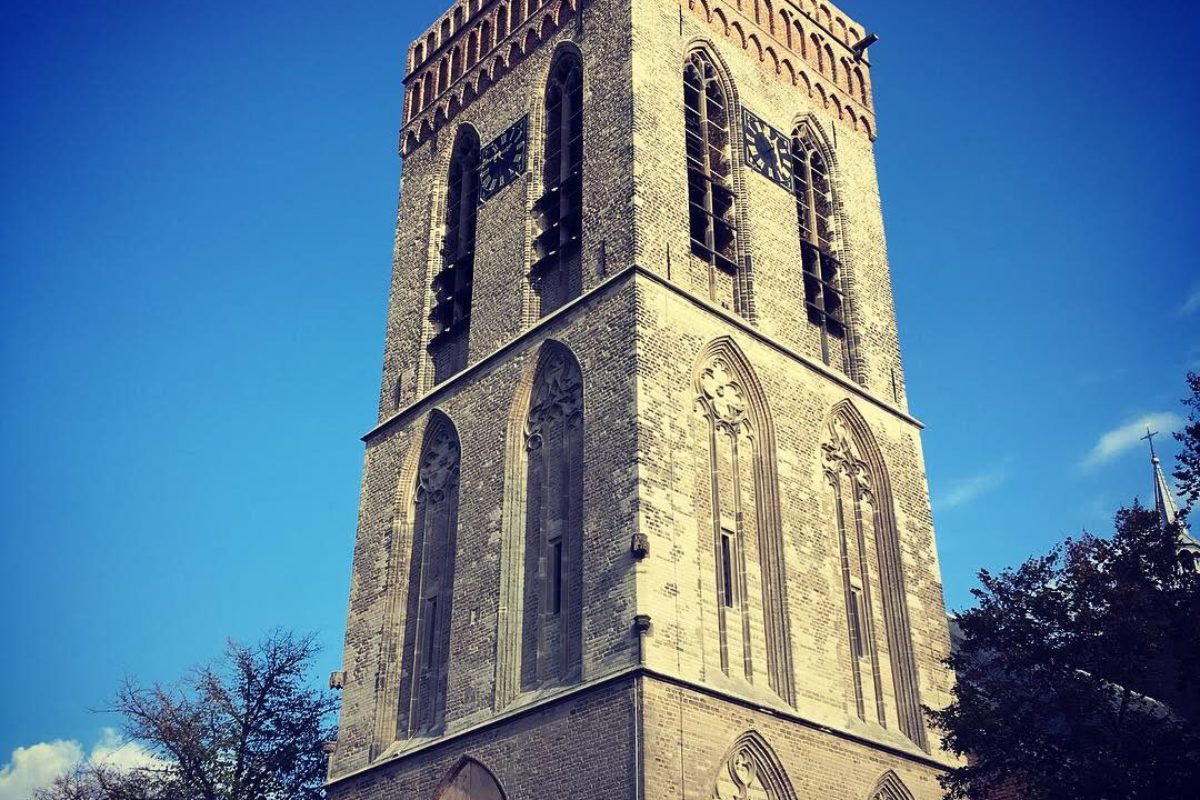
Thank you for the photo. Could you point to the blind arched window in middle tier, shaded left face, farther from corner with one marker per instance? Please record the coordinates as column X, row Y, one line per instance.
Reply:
column 425, row 658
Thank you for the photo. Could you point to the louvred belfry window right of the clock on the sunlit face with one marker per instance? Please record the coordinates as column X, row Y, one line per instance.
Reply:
column 825, row 302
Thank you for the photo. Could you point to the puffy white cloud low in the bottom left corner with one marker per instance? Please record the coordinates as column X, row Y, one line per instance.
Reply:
column 39, row 766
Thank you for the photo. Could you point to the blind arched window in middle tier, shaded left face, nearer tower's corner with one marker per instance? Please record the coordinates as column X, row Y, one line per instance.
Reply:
column 553, row 629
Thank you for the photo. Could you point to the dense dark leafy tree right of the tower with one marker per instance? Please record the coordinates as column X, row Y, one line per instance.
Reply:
column 1078, row 673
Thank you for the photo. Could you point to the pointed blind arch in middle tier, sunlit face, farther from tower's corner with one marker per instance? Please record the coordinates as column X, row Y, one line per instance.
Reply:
column 879, row 634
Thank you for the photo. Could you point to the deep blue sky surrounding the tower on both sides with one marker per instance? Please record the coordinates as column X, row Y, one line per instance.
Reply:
column 196, row 226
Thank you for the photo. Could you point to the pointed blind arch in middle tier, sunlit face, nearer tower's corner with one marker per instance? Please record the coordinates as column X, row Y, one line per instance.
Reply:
column 737, row 510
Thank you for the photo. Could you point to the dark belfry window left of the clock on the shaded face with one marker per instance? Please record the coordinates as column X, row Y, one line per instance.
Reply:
column 453, row 285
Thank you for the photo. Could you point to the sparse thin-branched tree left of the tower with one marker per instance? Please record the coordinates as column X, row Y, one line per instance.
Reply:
column 245, row 727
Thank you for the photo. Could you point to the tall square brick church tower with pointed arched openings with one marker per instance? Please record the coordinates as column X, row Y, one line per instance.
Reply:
column 645, row 513
